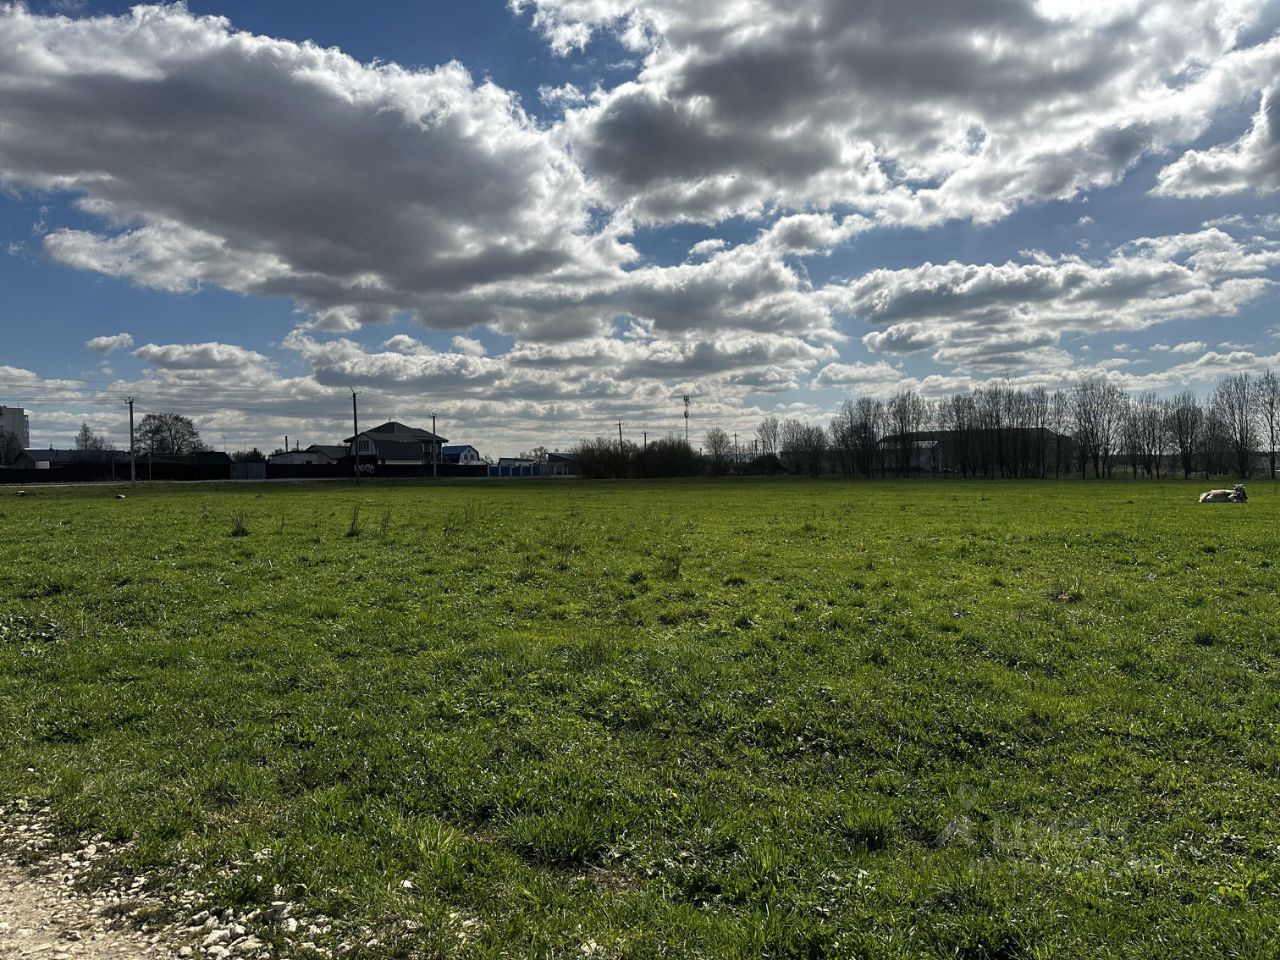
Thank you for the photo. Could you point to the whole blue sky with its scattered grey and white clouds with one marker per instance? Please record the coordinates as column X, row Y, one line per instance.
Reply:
column 538, row 220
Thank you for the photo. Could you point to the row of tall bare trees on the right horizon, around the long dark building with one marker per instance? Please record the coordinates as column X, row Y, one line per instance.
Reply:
column 1092, row 428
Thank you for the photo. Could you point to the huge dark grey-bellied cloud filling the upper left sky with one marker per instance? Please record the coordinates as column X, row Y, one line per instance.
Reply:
column 186, row 139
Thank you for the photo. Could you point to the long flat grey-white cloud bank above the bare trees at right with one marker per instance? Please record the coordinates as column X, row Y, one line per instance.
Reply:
column 994, row 318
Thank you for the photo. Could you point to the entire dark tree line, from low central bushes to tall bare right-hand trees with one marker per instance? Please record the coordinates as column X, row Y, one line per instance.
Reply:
column 999, row 431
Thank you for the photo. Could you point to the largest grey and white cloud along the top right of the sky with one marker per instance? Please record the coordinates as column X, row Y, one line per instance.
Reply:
column 915, row 113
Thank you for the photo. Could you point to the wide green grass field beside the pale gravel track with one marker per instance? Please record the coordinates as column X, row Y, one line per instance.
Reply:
column 723, row 720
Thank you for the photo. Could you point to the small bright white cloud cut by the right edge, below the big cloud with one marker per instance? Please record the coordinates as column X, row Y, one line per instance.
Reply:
column 1250, row 163
